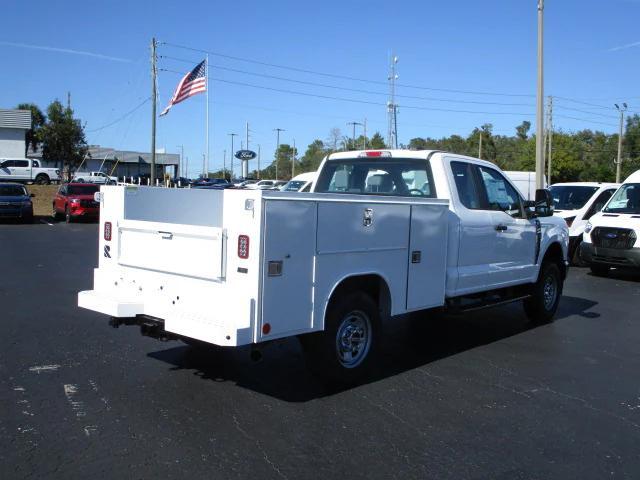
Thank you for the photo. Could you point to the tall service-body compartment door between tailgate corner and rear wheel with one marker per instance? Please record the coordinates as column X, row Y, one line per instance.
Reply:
column 287, row 272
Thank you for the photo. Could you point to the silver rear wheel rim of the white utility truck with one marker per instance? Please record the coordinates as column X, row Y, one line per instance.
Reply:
column 353, row 339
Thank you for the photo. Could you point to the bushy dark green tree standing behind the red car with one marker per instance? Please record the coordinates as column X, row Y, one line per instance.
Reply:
column 63, row 140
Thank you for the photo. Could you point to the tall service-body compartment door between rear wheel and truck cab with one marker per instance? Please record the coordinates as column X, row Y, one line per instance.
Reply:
column 427, row 256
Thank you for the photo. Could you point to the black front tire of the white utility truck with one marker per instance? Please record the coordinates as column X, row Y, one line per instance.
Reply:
column 543, row 303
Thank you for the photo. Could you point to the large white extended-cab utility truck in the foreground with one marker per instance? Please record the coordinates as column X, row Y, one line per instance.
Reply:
column 382, row 233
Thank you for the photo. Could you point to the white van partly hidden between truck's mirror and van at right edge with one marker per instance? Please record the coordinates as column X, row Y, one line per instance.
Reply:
column 577, row 202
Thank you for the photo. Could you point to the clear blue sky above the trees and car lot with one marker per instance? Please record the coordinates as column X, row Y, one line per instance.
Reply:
column 592, row 50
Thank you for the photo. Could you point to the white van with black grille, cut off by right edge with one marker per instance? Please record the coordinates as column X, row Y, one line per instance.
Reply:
column 611, row 236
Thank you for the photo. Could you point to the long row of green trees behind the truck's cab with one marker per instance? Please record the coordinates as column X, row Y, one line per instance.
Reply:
column 585, row 155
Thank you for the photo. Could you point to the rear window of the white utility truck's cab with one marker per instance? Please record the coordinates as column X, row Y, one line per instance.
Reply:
column 364, row 176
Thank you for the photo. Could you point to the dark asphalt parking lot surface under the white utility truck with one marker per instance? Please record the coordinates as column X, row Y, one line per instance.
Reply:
column 484, row 396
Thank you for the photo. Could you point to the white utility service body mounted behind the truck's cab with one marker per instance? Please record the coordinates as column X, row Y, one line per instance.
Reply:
column 173, row 255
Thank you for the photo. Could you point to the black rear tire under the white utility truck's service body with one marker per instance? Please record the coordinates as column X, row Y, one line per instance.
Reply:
column 352, row 320
